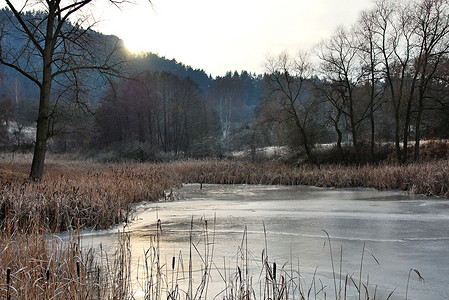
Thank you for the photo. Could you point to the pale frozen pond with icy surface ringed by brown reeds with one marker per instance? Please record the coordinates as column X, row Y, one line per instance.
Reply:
column 399, row 230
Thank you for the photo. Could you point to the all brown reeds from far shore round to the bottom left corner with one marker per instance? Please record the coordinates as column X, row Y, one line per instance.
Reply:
column 79, row 194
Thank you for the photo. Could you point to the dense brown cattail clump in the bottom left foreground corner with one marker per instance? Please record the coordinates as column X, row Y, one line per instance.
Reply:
column 41, row 266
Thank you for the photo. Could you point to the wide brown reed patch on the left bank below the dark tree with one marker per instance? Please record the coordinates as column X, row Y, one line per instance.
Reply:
column 79, row 194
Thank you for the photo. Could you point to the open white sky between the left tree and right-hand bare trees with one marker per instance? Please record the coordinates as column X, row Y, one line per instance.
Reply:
column 220, row 36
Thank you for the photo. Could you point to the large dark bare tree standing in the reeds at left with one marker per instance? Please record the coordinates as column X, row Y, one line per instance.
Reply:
column 56, row 44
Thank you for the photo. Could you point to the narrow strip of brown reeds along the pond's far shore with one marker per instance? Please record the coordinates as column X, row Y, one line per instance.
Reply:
column 426, row 178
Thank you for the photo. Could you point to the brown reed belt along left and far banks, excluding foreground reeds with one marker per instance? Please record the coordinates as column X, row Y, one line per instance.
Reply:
column 79, row 194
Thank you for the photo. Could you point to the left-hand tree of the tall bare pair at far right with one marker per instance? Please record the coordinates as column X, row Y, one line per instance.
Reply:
column 393, row 30
